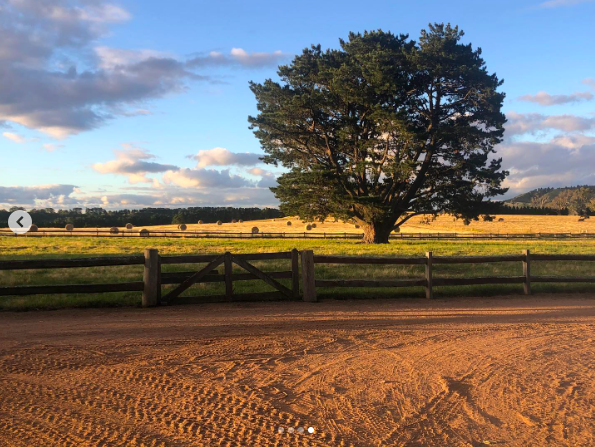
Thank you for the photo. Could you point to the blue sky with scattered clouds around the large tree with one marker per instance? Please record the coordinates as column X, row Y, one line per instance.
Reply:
column 133, row 103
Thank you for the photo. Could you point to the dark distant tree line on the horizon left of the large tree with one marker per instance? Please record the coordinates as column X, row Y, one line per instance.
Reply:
column 98, row 217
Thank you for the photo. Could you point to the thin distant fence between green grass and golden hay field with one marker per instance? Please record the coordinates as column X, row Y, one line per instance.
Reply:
column 285, row 235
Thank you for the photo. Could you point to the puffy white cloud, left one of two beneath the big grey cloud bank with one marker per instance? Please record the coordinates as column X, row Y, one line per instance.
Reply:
column 132, row 163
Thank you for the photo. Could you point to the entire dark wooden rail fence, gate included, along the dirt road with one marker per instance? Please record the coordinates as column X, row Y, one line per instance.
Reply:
column 154, row 278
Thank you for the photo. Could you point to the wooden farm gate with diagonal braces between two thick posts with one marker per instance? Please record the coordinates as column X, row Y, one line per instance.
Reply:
column 210, row 274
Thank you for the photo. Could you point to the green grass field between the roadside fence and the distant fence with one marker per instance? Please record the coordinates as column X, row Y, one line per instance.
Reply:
column 61, row 247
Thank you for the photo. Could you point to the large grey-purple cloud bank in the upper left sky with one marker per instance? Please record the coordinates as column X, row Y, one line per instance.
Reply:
column 56, row 79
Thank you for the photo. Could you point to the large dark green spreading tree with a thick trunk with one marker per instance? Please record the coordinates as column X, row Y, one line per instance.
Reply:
column 383, row 129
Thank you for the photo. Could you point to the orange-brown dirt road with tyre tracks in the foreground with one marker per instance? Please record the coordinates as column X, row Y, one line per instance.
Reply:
column 473, row 372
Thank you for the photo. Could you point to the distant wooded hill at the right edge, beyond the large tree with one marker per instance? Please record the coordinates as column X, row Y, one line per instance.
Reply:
column 573, row 199
